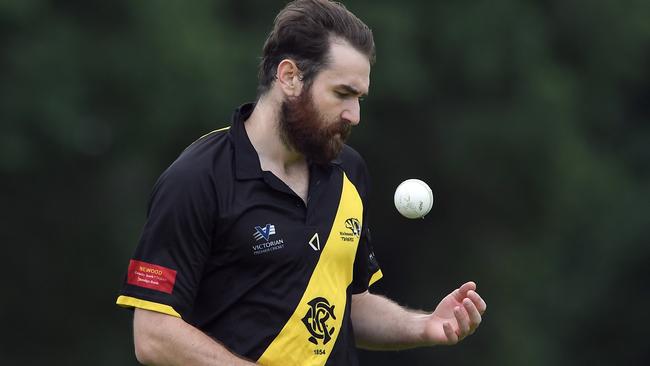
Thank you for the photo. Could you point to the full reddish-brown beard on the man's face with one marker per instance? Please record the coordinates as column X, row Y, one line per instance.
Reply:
column 304, row 129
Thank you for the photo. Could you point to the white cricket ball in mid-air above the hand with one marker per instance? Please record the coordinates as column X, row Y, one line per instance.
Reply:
column 413, row 198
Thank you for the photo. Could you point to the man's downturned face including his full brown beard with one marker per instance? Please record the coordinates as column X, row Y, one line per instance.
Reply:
column 319, row 120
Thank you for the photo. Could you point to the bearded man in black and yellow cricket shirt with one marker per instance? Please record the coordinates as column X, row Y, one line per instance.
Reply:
column 257, row 246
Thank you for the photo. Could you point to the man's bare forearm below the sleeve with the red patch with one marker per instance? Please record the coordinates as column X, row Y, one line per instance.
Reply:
column 162, row 339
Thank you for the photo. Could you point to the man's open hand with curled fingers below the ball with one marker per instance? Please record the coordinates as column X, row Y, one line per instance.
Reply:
column 456, row 316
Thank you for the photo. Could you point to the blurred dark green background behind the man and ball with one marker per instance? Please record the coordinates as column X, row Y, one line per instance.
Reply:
column 529, row 119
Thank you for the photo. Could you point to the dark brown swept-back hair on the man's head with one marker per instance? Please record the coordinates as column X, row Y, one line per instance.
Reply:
column 303, row 30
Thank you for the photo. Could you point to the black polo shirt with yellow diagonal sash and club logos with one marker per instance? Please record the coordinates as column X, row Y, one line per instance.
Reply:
column 232, row 250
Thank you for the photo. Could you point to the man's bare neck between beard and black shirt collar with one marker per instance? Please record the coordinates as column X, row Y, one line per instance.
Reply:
column 263, row 129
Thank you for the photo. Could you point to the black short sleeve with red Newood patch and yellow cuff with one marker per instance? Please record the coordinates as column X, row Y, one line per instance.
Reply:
column 165, row 271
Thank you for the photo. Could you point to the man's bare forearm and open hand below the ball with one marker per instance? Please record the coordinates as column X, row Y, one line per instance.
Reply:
column 381, row 324
